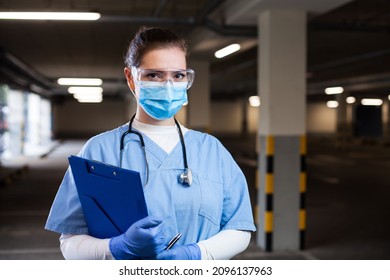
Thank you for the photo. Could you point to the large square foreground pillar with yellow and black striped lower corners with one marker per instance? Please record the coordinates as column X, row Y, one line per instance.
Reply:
column 281, row 210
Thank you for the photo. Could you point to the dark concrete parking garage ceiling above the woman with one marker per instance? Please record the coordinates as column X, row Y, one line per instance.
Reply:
column 348, row 42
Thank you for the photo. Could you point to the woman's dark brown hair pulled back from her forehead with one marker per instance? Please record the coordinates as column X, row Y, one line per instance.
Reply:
column 149, row 38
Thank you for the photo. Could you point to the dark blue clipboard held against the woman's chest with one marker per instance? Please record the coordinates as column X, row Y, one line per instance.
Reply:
column 112, row 198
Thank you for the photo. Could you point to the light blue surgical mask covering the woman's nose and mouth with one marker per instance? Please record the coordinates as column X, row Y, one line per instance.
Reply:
column 162, row 100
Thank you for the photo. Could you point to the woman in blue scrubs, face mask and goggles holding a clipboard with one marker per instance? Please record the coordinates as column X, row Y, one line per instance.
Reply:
column 208, row 204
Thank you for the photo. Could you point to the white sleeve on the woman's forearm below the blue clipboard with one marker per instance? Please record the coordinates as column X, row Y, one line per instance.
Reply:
column 84, row 247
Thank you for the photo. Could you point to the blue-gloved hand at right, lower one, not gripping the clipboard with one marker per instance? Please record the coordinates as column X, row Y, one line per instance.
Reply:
column 181, row 252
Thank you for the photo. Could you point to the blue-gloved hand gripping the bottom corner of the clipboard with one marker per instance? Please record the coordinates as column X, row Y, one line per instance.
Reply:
column 143, row 239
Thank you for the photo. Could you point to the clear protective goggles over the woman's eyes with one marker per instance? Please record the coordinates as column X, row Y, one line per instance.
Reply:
column 163, row 75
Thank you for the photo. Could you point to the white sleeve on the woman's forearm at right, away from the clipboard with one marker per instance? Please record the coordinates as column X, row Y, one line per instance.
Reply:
column 216, row 248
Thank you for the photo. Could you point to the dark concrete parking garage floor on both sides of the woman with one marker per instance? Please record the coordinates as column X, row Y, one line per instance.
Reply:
column 347, row 202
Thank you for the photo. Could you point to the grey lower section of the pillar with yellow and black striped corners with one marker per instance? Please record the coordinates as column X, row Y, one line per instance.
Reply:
column 281, row 209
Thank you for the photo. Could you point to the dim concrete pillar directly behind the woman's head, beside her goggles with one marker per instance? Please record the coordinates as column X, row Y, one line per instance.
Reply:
column 198, row 112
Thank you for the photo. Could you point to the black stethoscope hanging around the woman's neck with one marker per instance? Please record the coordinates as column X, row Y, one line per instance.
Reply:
column 185, row 177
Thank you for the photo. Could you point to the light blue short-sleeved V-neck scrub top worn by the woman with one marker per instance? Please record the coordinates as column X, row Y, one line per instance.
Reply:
column 218, row 198
